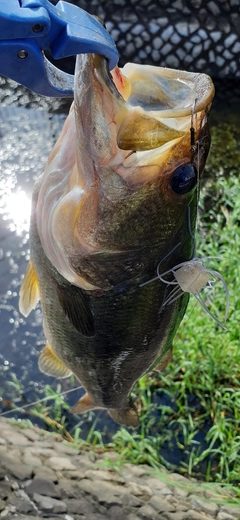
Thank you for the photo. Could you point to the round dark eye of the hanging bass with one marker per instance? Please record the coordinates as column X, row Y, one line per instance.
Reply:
column 184, row 179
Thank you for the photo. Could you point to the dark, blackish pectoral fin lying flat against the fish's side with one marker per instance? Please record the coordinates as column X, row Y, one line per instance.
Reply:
column 75, row 305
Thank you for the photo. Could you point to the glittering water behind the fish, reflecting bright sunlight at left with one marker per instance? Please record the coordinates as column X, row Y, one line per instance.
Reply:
column 27, row 136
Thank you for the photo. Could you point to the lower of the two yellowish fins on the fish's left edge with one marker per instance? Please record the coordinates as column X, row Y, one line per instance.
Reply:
column 50, row 364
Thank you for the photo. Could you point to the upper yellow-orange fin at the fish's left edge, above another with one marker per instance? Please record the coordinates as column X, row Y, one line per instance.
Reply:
column 29, row 292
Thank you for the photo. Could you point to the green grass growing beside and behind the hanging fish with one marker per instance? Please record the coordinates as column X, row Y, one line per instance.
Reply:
column 194, row 406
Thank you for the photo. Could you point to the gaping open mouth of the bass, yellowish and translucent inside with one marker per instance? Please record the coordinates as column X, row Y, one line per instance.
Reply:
column 162, row 105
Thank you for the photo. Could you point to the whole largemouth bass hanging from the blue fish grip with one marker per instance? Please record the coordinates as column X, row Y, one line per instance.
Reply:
column 118, row 198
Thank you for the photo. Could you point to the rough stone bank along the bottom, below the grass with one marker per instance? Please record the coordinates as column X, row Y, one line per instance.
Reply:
column 43, row 476
